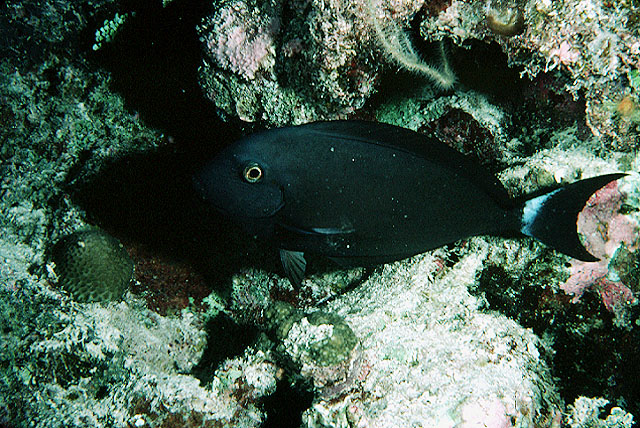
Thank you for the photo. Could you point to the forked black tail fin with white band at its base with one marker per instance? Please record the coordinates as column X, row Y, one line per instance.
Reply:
column 552, row 218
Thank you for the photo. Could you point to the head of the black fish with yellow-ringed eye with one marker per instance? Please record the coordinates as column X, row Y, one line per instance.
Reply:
column 240, row 182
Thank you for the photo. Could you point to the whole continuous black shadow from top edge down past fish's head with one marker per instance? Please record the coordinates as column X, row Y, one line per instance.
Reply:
column 148, row 198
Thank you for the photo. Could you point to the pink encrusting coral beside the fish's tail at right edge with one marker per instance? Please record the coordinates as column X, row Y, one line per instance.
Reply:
column 605, row 231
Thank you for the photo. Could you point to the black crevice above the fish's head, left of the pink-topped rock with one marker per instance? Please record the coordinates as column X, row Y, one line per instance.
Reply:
column 153, row 63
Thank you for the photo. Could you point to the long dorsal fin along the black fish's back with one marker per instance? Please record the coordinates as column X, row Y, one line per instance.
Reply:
column 429, row 148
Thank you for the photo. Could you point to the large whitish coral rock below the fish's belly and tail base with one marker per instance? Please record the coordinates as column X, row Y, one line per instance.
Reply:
column 401, row 314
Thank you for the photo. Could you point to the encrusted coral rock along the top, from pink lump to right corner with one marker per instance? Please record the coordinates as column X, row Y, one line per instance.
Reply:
column 323, row 54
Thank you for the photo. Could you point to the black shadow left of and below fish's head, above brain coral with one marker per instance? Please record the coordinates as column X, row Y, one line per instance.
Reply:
column 149, row 199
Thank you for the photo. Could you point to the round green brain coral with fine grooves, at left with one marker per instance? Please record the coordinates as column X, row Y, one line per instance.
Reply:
column 92, row 265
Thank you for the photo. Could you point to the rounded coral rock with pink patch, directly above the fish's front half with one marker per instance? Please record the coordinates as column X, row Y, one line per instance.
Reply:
column 318, row 67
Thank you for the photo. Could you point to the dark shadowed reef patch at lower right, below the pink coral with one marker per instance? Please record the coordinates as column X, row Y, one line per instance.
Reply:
column 600, row 362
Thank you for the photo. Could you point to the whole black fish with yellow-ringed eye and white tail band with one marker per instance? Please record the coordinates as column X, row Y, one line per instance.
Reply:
column 365, row 193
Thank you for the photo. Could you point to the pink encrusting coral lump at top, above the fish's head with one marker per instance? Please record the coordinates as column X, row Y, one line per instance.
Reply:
column 242, row 35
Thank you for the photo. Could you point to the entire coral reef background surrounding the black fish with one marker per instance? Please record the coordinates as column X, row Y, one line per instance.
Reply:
column 107, row 108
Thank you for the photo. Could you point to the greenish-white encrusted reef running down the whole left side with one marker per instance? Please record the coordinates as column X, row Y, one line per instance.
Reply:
column 65, row 364
